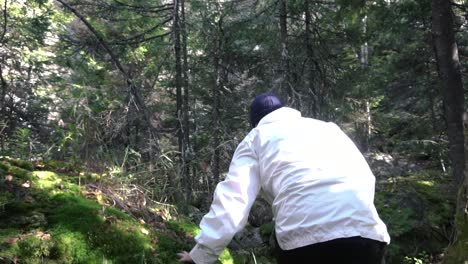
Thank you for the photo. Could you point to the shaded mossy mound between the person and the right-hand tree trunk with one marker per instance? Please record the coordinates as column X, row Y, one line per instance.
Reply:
column 418, row 210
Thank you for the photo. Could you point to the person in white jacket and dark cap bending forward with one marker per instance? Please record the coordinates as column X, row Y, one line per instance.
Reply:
column 318, row 183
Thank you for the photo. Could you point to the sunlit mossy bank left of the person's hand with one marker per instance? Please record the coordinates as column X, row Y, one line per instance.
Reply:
column 45, row 218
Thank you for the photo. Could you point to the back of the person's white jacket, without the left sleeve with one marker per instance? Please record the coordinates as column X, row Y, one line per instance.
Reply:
column 317, row 181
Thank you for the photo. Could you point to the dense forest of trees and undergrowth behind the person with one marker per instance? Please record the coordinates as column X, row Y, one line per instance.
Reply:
column 155, row 94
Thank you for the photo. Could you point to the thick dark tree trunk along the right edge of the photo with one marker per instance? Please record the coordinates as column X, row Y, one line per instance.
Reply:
column 448, row 66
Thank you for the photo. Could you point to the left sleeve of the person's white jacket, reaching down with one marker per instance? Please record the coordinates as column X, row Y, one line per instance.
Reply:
column 231, row 205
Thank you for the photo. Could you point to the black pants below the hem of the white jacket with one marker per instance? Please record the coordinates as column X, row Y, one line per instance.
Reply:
column 353, row 250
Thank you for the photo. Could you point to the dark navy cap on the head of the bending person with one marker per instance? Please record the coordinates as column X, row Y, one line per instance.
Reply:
column 262, row 105
